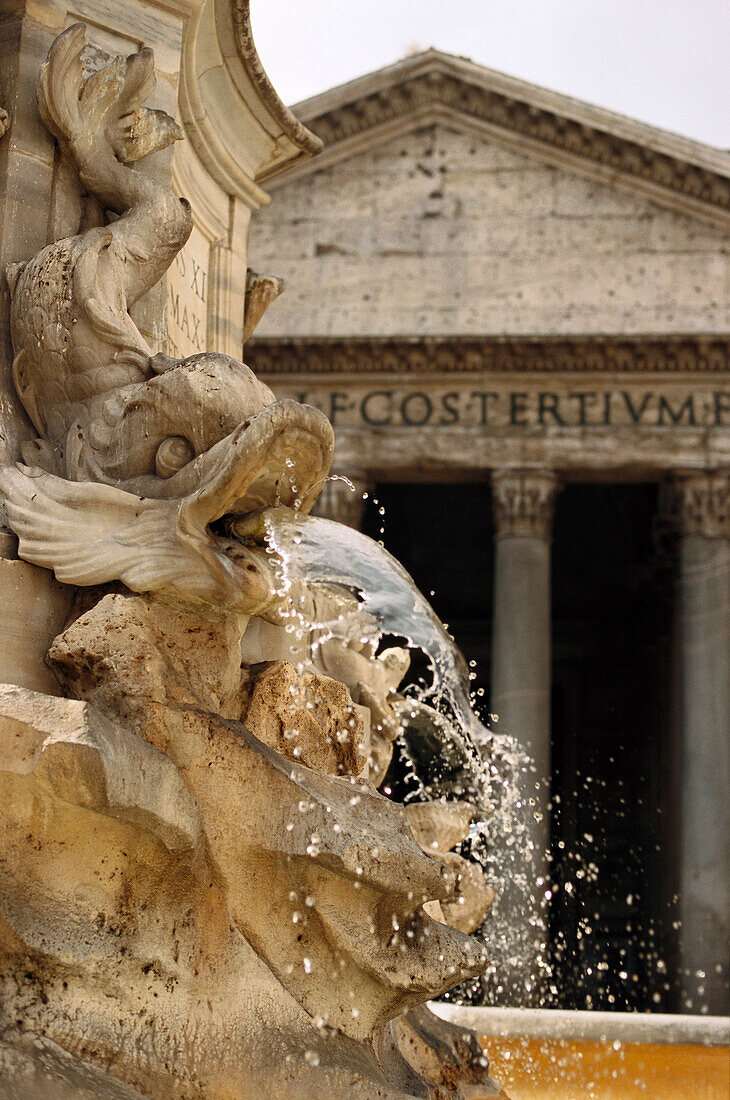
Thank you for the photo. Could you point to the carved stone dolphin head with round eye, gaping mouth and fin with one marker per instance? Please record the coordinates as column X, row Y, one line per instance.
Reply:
column 164, row 476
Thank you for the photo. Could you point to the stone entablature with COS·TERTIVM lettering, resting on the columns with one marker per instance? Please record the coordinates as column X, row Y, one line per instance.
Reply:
column 609, row 411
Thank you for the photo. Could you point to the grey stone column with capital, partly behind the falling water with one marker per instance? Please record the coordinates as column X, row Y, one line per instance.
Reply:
column 521, row 691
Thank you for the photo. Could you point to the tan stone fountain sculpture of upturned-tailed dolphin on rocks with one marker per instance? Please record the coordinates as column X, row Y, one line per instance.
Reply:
column 203, row 894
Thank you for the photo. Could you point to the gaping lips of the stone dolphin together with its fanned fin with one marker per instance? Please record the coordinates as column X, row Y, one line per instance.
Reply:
column 178, row 534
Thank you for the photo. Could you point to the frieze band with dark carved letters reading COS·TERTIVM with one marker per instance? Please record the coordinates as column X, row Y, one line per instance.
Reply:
column 523, row 408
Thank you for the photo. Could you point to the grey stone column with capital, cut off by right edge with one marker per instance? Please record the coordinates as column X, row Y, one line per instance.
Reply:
column 703, row 505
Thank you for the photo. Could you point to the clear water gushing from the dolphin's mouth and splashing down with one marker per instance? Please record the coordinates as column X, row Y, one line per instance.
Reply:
column 438, row 720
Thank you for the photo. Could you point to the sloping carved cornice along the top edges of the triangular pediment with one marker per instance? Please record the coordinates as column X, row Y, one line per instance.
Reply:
column 434, row 87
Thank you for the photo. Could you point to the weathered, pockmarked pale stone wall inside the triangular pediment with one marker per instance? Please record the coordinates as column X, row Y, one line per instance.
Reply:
column 443, row 233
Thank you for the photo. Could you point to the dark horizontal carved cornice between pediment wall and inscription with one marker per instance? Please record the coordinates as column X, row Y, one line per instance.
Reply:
column 690, row 355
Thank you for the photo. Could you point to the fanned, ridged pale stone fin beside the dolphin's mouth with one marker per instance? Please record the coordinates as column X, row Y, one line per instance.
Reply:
column 92, row 534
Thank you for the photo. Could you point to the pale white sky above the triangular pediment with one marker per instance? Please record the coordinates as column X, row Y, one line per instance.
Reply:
column 663, row 62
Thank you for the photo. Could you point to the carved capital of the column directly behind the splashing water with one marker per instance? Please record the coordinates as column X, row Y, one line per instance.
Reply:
column 524, row 501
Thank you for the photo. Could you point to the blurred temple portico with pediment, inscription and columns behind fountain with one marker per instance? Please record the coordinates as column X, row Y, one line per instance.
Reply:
column 496, row 287
